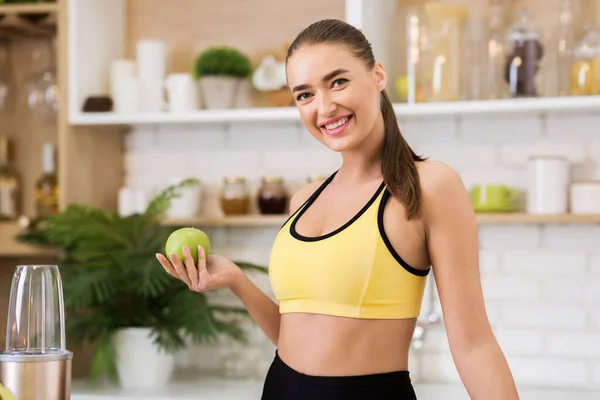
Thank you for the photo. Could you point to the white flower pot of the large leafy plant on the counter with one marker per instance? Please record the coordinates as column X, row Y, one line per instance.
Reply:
column 140, row 363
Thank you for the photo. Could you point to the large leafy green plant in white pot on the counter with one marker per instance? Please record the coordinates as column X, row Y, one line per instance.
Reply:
column 119, row 297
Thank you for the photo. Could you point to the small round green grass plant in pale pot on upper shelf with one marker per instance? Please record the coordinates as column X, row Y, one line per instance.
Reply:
column 221, row 72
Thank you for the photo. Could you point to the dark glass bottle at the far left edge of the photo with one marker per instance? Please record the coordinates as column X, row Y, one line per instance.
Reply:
column 10, row 185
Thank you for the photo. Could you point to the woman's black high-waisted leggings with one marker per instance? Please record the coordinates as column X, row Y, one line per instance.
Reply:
column 284, row 383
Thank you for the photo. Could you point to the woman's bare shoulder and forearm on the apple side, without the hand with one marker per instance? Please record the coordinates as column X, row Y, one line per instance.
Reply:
column 262, row 309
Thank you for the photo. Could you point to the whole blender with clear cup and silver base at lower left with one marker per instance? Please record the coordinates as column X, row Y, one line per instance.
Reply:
column 35, row 364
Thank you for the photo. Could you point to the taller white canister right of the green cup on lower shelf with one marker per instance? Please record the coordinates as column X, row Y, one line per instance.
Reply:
column 549, row 178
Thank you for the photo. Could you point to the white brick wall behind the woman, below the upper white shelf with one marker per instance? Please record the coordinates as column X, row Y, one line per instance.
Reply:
column 541, row 282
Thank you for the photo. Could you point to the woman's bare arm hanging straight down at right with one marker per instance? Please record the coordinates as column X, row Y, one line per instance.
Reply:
column 453, row 246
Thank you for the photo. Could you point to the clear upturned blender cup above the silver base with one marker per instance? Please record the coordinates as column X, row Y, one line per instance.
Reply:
column 36, row 319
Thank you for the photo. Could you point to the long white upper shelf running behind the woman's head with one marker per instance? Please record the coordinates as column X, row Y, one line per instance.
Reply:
column 273, row 114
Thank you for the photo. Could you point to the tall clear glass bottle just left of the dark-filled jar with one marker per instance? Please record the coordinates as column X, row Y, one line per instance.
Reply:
column 494, row 63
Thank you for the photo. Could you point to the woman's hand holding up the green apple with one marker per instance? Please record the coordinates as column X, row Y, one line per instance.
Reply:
column 213, row 272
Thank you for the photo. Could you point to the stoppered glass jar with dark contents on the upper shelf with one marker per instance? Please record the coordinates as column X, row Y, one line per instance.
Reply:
column 523, row 56
